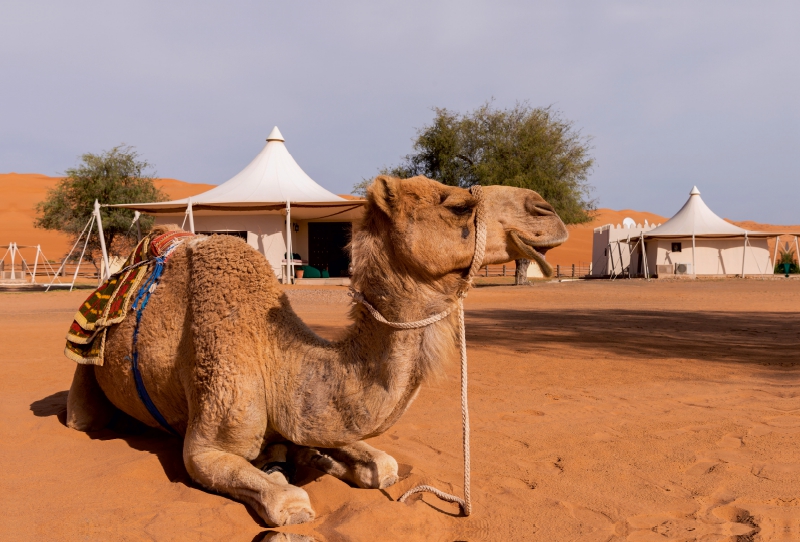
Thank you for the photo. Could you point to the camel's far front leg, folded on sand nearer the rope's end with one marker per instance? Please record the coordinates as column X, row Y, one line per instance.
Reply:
column 359, row 463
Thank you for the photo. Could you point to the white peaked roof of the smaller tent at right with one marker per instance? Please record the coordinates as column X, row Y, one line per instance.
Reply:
column 696, row 219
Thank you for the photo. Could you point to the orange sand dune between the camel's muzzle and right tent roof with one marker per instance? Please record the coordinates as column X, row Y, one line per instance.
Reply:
column 578, row 248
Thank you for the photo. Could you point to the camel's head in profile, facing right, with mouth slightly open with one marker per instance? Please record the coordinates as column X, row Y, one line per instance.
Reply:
column 431, row 227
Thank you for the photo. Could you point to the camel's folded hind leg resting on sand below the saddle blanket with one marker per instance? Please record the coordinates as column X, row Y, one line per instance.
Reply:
column 88, row 409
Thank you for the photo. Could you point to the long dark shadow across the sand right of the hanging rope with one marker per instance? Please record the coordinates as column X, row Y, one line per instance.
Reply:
column 763, row 338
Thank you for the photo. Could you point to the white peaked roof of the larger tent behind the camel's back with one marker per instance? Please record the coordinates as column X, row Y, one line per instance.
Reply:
column 271, row 180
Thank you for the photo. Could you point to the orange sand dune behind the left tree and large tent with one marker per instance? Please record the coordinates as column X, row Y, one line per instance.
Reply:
column 19, row 194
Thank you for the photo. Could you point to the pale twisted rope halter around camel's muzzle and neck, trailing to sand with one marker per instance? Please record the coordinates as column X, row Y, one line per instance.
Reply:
column 477, row 260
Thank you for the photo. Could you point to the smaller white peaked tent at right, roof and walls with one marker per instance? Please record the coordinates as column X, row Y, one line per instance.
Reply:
column 698, row 242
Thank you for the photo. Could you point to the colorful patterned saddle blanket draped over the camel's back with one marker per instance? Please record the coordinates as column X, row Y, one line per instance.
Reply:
column 109, row 304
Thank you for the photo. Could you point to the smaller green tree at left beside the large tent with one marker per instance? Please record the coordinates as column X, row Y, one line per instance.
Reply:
column 115, row 176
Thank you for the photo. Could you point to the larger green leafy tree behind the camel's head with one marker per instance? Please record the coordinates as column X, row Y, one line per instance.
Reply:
column 534, row 148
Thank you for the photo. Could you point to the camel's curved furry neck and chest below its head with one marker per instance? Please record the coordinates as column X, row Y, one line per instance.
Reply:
column 361, row 384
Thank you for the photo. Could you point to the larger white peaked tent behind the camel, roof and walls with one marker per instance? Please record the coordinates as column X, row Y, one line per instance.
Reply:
column 268, row 203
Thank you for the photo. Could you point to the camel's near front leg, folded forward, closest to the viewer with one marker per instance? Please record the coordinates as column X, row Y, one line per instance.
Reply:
column 270, row 495
